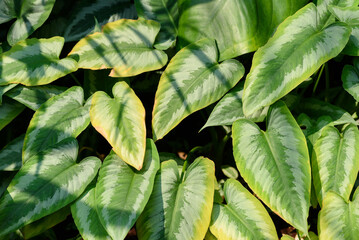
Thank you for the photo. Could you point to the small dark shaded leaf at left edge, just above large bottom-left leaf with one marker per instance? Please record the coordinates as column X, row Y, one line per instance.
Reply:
column 10, row 155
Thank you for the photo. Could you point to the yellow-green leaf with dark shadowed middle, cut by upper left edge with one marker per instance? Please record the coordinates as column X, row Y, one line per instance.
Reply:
column 35, row 62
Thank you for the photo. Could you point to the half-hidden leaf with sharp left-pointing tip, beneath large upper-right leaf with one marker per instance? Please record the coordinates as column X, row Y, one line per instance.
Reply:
column 229, row 109
